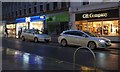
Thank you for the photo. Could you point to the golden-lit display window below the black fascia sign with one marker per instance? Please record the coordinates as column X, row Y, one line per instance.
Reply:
column 105, row 28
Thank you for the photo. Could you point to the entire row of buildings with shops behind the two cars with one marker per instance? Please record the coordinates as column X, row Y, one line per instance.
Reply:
column 101, row 17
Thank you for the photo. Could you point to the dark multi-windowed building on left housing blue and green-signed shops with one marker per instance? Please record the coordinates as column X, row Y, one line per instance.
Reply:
column 39, row 15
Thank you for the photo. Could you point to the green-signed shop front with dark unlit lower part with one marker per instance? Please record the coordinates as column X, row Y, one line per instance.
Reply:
column 57, row 22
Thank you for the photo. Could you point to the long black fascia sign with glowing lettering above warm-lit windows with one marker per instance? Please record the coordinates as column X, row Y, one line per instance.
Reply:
column 114, row 13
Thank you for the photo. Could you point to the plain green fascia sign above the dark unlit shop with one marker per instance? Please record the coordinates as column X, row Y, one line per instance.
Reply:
column 60, row 17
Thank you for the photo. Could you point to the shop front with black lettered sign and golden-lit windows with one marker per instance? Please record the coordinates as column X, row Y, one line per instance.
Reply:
column 104, row 23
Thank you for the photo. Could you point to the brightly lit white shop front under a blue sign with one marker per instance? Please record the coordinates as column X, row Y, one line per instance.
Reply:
column 34, row 22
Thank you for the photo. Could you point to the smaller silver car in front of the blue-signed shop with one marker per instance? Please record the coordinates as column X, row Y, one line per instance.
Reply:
column 35, row 35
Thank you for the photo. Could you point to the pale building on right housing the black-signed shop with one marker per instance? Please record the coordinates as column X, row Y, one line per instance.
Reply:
column 102, row 18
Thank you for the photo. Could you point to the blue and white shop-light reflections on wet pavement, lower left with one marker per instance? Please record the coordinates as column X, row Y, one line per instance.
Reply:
column 17, row 60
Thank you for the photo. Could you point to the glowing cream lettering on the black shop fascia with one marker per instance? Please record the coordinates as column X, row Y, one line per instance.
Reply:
column 91, row 15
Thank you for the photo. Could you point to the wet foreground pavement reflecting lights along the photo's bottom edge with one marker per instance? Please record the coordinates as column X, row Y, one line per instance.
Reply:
column 18, row 60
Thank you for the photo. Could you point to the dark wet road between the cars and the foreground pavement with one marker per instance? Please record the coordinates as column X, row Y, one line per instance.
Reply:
column 106, row 59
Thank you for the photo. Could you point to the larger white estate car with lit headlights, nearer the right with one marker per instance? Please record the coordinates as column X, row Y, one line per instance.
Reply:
column 83, row 38
